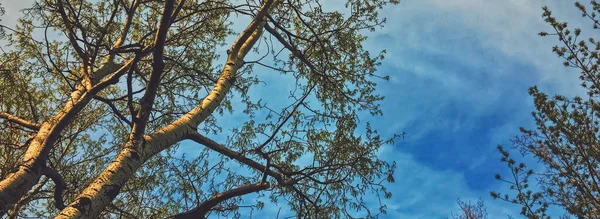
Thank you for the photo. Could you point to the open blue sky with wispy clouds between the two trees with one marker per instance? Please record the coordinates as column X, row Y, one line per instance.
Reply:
column 459, row 72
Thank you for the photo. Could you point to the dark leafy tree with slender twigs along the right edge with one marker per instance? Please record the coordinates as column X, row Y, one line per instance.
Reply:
column 566, row 138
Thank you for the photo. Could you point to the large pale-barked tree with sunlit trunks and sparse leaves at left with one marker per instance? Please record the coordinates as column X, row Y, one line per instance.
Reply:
column 96, row 96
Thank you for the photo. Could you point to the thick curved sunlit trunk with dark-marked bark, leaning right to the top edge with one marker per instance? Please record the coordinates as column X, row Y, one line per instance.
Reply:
column 107, row 185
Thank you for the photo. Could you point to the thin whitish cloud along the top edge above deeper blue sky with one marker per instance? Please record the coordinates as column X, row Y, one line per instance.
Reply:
column 507, row 27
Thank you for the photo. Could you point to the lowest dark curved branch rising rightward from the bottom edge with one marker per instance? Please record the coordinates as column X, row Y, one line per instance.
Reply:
column 205, row 207
